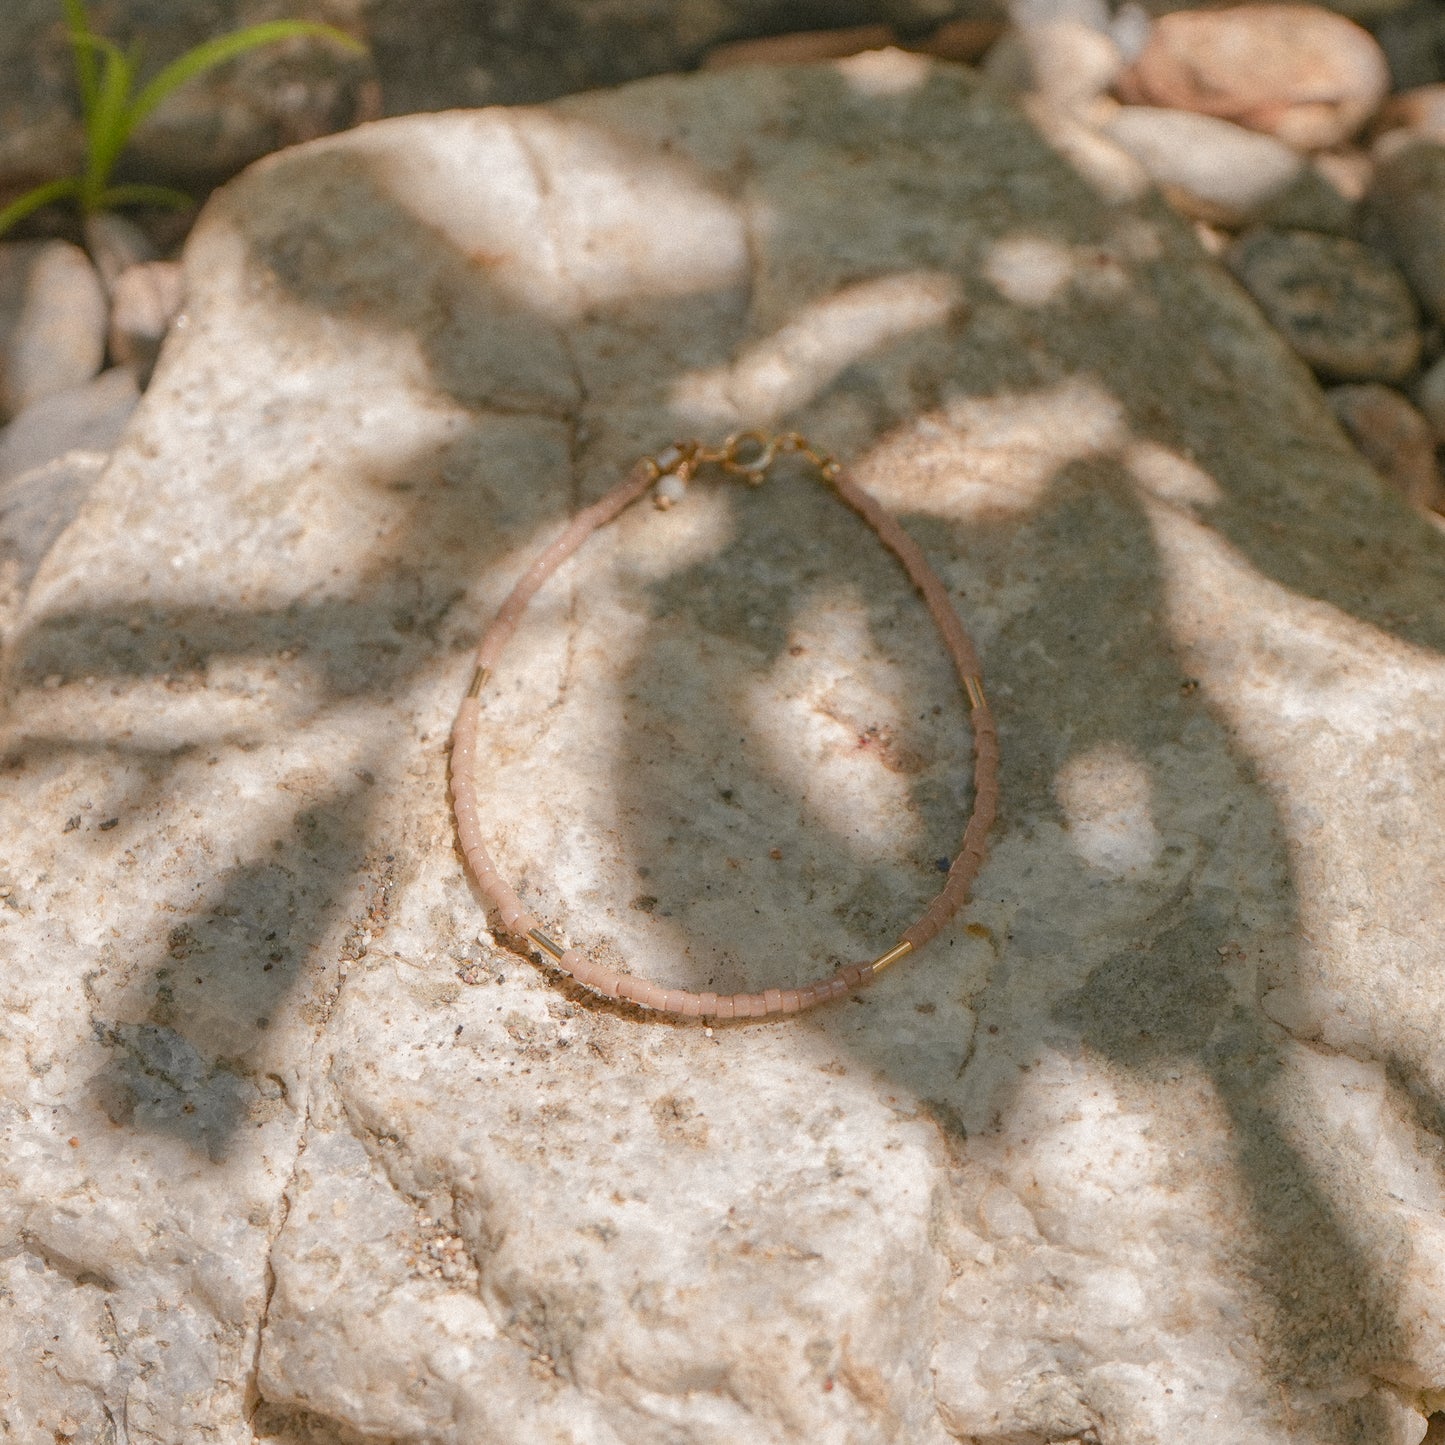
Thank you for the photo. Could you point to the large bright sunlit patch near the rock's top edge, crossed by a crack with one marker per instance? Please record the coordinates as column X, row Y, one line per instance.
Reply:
column 567, row 216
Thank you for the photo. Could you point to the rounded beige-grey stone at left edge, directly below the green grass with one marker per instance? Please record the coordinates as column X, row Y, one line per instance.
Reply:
column 53, row 322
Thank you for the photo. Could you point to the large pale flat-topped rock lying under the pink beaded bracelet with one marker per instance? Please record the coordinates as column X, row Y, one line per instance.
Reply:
column 1148, row 1145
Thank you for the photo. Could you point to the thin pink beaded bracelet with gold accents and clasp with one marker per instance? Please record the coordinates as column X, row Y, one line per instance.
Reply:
column 749, row 456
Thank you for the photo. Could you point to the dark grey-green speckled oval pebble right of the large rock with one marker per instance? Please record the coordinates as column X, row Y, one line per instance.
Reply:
column 1340, row 306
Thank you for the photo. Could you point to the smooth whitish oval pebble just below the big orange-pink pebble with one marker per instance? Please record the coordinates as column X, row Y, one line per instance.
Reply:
column 1223, row 174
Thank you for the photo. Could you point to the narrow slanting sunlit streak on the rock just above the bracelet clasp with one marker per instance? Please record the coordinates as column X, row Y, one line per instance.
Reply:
column 793, row 366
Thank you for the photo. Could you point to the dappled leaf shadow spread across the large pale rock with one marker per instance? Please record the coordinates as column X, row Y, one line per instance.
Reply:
column 1080, row 657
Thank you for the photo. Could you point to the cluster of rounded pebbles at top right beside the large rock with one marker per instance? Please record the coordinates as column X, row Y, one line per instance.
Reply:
column 1277, row 129
